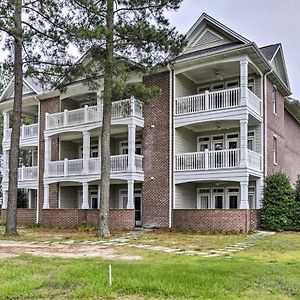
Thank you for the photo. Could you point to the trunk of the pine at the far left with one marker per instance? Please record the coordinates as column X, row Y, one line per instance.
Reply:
column 11, row 219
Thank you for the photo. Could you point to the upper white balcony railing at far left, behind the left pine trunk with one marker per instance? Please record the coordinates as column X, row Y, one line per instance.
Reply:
column 28, row 135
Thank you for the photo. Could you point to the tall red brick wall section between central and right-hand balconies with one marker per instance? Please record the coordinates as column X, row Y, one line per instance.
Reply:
column 156, row 154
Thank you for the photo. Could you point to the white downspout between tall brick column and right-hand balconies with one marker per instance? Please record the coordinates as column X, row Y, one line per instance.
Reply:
column 171, row 83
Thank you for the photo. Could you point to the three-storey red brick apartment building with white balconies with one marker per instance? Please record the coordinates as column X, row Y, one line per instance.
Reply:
column 195, row 157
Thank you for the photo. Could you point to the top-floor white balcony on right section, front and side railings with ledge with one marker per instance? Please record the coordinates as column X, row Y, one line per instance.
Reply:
column 222, row 101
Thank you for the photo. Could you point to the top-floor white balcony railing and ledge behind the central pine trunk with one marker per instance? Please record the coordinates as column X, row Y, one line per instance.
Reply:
column 91, row 116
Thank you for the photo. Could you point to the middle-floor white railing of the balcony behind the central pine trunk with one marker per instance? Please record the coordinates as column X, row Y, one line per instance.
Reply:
column 75, row 167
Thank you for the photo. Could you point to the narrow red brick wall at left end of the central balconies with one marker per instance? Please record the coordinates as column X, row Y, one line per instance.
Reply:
column 51, row 105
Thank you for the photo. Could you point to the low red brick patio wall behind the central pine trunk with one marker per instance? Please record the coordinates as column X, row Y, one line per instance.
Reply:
column 119, row 219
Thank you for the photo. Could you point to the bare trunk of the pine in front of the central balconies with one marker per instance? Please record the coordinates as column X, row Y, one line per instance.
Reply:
column 103, row 229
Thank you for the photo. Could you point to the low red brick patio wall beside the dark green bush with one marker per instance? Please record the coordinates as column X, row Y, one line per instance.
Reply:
column 213, row 219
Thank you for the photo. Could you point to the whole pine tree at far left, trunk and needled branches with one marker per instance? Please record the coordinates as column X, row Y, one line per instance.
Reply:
column 37, row 40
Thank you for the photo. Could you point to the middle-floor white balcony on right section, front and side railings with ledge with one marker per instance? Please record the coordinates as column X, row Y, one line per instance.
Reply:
column 211, row 164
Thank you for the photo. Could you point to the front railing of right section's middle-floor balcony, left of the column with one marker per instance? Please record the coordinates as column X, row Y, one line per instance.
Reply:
column 208, row 160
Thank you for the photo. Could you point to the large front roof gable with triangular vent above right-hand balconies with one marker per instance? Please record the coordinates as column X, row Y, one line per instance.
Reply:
column 208, row 32
